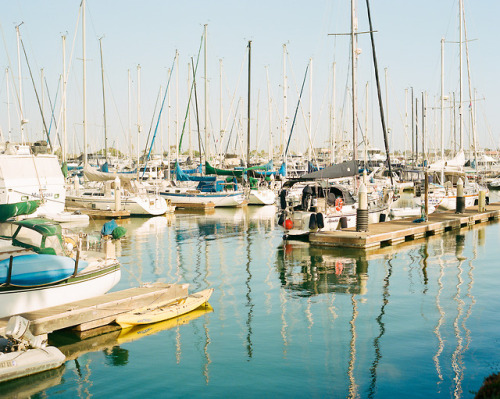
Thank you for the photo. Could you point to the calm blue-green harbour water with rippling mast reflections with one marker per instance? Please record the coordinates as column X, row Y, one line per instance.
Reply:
column 294, row 321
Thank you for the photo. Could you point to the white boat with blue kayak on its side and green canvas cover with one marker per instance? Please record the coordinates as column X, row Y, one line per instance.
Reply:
column 41, row 268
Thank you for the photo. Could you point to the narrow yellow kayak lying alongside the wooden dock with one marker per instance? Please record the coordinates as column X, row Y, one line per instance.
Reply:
column 166, row 311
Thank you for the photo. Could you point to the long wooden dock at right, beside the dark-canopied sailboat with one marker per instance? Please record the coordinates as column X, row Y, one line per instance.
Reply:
column 398, row 231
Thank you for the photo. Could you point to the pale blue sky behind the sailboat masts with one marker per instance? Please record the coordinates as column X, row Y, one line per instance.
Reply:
column 149, row 32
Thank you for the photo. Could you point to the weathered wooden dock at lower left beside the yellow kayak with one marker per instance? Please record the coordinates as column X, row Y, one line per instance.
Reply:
column 98, row 311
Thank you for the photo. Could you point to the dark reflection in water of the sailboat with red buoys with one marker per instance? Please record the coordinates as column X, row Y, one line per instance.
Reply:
column 308, row 270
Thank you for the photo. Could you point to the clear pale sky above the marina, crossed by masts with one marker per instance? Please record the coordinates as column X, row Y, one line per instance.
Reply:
column 148, row 33
